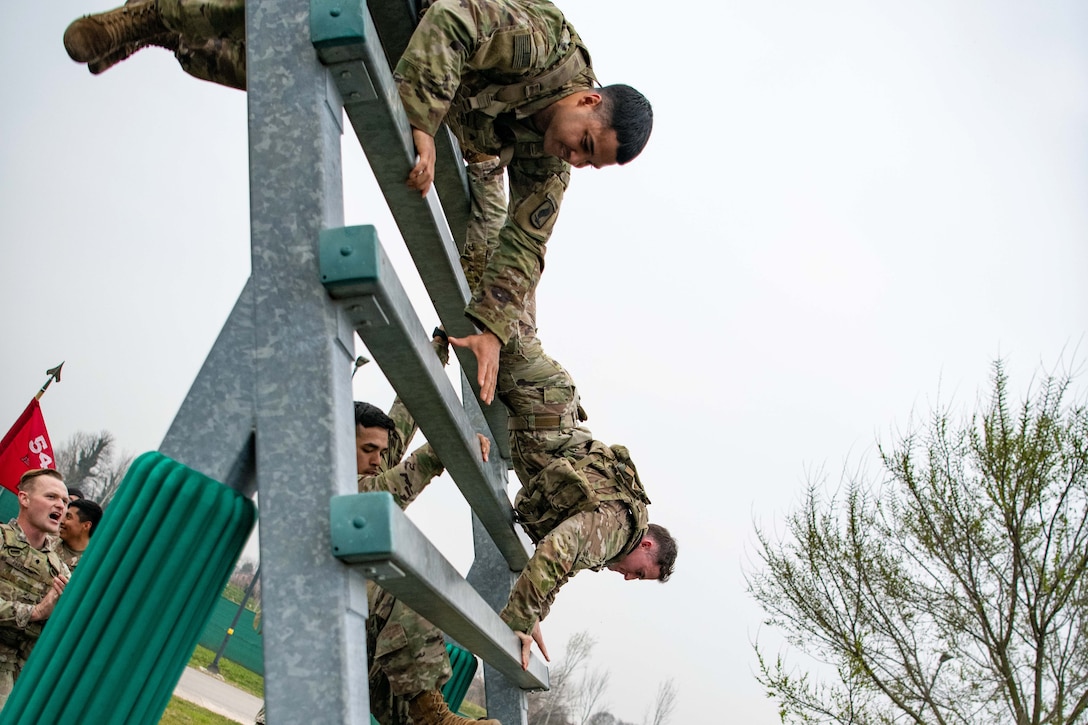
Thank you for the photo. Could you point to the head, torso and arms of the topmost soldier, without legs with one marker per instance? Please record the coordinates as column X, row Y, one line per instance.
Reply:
column 513, row 79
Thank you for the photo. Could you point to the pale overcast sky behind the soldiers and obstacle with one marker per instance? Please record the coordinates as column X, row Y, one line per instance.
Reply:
column 847, row 212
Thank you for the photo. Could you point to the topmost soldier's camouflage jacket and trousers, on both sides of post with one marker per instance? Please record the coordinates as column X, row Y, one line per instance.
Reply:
column 459, row 63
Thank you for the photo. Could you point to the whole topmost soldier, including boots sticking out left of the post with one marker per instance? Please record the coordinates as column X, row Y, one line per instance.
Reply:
column 512, row 79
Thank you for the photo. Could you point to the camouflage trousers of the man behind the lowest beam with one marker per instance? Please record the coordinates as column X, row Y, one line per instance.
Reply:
column 407, row 654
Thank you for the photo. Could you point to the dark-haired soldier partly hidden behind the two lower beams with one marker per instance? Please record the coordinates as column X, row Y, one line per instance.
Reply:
column 409, row 658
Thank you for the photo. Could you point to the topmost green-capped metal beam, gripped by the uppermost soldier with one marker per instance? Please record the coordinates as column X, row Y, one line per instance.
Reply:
column 348, row 42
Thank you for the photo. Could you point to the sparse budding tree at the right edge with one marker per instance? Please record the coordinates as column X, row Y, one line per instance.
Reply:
column 955, row 589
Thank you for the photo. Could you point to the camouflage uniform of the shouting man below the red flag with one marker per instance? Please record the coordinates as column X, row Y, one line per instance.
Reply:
column 27, row 576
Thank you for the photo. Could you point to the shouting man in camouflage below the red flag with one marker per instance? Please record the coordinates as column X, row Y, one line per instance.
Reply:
column 32, row 577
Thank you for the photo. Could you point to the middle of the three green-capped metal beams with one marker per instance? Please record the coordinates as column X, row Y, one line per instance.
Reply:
column 356, row 272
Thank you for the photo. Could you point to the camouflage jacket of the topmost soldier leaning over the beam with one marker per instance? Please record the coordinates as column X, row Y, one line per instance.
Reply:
column 460, row 51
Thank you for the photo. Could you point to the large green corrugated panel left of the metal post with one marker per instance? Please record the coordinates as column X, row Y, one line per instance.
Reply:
column 131, row 617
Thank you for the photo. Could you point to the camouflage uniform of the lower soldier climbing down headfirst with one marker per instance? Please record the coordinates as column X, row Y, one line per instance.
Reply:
column 582, row 501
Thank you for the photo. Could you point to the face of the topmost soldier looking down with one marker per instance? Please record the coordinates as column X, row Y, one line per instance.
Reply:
column 577, row 134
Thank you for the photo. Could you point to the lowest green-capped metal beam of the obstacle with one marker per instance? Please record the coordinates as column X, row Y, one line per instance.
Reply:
column 369, row 530
